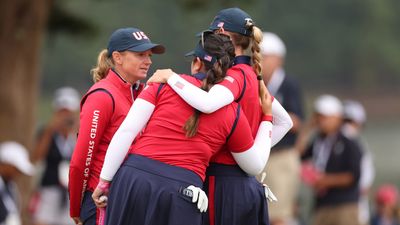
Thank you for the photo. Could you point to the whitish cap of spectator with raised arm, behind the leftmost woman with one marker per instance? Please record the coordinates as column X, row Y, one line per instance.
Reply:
column 66, row 98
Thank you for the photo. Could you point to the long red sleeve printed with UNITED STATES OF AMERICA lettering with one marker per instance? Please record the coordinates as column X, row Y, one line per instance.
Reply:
column 94, row 117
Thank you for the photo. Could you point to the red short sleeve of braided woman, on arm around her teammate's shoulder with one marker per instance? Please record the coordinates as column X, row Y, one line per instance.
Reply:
column 234, row 81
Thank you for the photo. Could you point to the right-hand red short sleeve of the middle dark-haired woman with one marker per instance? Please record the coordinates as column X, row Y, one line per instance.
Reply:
column 241, row 138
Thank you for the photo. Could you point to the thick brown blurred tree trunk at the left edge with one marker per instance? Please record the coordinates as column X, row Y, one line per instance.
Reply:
column 22, row 27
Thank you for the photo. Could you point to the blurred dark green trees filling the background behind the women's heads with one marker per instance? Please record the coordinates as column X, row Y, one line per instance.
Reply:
column 332, row 43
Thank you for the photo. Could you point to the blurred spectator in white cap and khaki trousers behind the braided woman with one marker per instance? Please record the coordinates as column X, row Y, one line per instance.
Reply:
column 282, row 170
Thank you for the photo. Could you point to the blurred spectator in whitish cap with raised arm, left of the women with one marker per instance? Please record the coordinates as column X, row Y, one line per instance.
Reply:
column 55, row 146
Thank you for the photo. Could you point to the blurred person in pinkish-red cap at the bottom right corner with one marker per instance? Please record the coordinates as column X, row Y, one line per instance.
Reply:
column 386, row 199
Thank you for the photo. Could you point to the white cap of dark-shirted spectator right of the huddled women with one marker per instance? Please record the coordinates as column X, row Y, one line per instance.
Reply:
column 328, row 105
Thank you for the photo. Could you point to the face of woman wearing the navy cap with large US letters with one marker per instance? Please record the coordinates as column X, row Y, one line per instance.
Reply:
column 133, row 66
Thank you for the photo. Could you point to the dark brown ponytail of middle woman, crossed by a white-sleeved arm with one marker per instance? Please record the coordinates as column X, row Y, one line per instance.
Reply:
column 222, row 48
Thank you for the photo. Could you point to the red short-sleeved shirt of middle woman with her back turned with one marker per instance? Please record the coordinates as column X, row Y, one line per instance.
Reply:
column 164, row 138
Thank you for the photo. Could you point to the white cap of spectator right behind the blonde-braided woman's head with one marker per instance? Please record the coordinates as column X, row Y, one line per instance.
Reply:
column 272, row 45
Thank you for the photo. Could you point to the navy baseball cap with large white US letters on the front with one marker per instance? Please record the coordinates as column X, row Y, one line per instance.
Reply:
column 132, row 39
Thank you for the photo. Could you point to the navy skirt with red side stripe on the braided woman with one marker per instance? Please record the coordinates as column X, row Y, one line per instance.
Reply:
column 235, row 198
